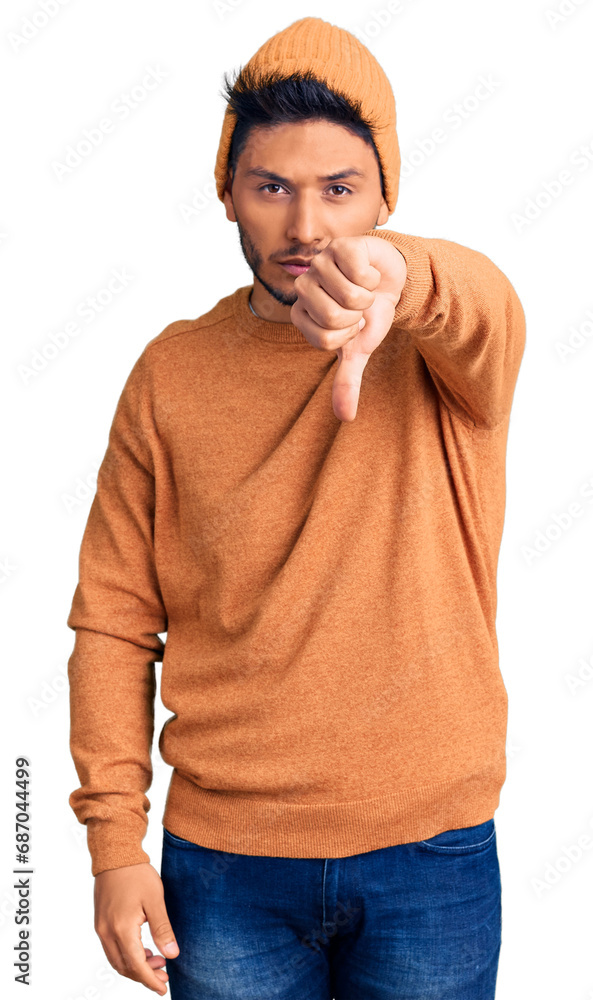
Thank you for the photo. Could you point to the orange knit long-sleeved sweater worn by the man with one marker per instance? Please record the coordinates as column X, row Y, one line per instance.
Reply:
column 328, row 589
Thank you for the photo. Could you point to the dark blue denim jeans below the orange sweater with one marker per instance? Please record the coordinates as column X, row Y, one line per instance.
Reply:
column 410, row 922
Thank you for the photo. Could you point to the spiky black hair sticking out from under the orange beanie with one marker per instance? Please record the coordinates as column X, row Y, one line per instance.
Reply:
column 264, row 100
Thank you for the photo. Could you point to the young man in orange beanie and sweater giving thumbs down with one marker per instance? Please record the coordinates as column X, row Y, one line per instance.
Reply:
column 305, row 489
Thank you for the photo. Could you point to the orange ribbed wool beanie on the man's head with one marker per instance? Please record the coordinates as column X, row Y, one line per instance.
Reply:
column 340, row 60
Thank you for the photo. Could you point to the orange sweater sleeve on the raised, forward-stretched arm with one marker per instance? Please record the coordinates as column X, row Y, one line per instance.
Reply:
column 467, row 321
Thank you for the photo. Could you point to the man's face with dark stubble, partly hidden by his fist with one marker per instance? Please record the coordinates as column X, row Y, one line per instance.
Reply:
column 298, row 186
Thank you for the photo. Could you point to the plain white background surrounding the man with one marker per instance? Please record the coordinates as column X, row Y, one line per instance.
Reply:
column 122, row 207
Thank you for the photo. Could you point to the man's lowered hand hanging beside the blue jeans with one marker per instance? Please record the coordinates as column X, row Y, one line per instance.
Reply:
column 124, row 899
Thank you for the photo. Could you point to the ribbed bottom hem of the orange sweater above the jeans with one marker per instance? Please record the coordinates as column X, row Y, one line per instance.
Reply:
column 235, row 824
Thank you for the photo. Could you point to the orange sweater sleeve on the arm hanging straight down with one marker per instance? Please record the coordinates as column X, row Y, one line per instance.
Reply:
column 117, row 612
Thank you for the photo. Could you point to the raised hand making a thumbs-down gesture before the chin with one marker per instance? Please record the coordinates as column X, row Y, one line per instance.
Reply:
column 346, row 303
